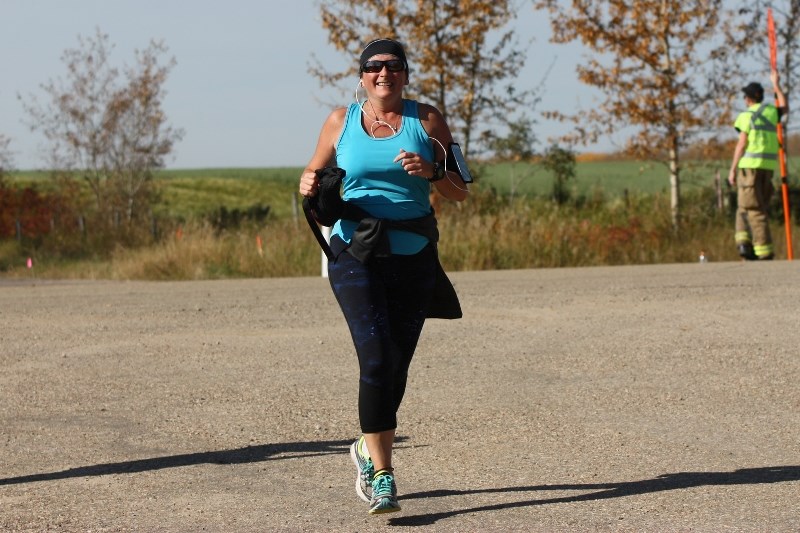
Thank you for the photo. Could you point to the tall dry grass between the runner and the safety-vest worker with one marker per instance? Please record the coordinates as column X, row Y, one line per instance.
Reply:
column 541, row 234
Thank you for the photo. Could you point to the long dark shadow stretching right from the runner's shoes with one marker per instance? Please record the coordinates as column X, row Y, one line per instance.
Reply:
column 681, row 480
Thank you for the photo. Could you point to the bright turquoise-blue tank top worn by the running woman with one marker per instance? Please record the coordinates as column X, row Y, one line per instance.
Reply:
column 379, row 186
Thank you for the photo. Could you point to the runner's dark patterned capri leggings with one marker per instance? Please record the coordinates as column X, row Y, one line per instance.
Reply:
column 384, row 303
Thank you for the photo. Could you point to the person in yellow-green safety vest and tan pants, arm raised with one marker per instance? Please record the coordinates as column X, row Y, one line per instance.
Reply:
column 754, row 160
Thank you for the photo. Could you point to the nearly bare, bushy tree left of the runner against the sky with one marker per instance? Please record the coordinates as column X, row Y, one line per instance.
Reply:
column 106, row 127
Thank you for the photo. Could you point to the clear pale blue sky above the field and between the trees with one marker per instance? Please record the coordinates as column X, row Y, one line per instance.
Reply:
column 241, row 89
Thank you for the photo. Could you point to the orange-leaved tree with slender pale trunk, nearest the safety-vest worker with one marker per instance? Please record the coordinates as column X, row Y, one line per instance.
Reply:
column 669, row 73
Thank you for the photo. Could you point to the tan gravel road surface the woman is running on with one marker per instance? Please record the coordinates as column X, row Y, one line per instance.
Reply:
column 641, row 398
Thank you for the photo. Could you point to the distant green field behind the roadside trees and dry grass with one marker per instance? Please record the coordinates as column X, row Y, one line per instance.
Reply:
column 188, row 193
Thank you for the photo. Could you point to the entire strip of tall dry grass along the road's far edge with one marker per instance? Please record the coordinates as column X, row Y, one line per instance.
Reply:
column 485, row 233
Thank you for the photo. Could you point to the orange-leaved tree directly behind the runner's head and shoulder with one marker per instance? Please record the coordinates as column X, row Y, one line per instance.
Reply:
column 454, row 66
